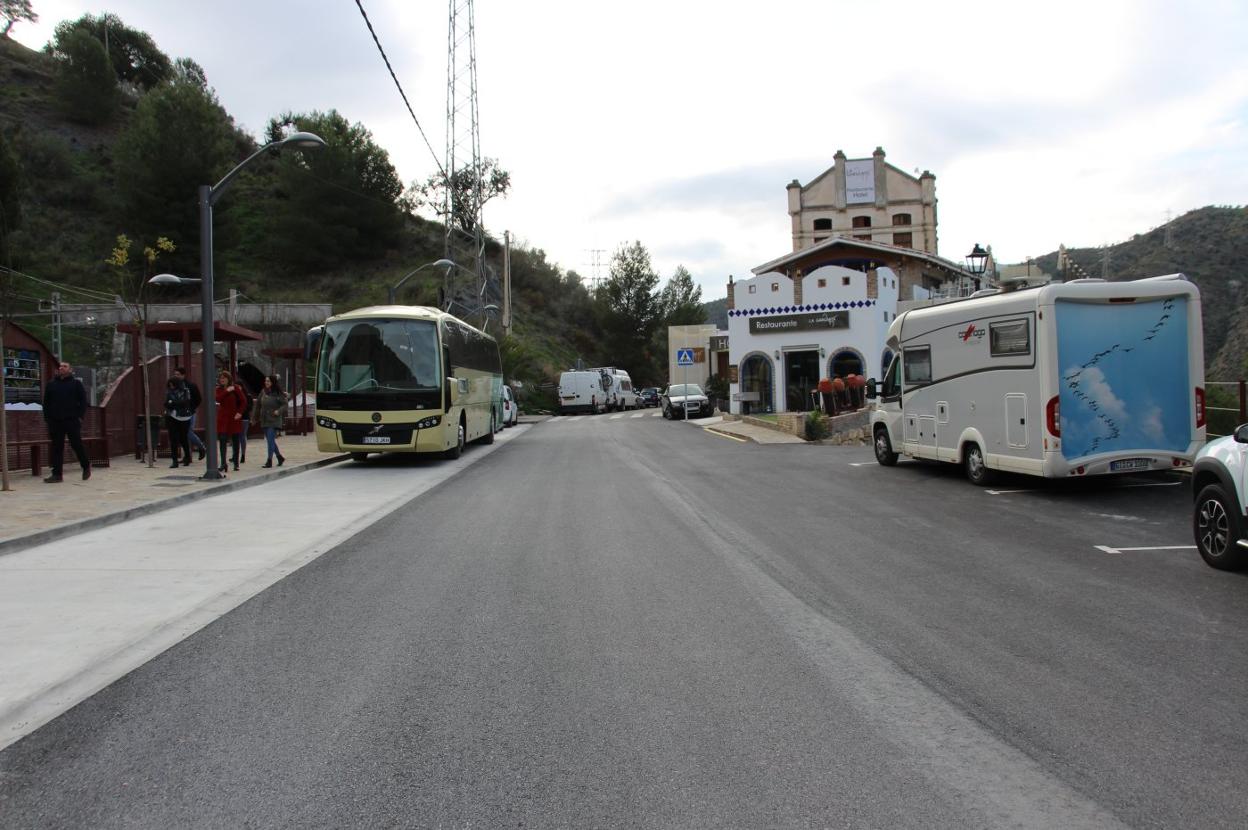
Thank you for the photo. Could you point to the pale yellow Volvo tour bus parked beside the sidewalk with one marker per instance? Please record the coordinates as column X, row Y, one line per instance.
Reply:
column 404, row 379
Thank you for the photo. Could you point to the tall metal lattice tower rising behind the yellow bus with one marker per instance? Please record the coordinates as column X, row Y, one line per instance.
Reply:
column 465, row 234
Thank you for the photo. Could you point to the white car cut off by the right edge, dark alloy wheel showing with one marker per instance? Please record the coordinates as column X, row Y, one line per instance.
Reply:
column 1220, row 516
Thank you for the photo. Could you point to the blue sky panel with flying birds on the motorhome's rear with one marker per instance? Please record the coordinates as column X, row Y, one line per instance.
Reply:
column 1109, row 388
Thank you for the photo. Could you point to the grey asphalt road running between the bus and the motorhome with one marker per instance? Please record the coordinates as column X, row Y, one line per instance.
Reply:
column 636, row 623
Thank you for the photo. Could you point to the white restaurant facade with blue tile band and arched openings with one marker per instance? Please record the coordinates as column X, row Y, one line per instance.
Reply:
column 868, row 299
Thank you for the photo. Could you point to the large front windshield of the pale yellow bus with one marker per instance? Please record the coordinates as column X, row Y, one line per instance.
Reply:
column 364, row 356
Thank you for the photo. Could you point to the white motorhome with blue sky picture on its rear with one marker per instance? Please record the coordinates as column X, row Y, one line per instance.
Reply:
column 1066, row 380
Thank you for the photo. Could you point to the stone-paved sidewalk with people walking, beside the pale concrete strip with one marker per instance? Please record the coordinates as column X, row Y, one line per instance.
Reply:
column 34, row 507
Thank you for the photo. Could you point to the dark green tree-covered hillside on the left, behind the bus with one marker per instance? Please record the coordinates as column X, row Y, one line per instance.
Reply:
column 115, row 140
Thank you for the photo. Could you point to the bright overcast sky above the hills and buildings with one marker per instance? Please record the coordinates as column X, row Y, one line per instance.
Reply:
column 680, row 123
